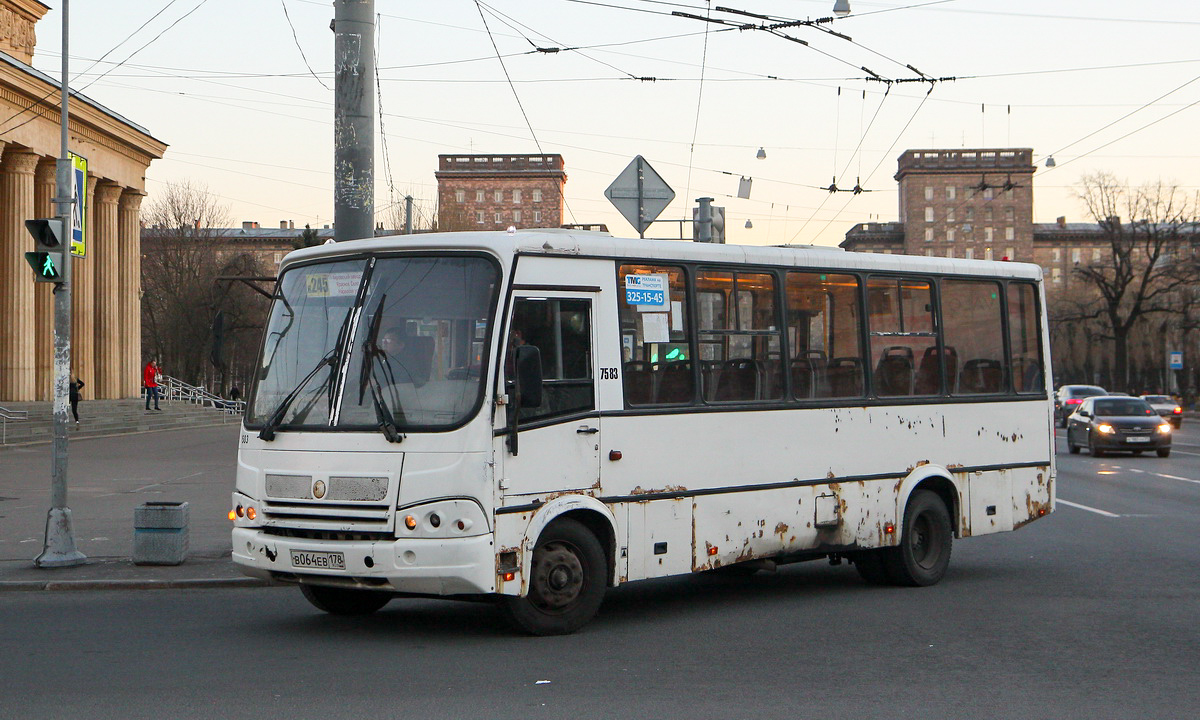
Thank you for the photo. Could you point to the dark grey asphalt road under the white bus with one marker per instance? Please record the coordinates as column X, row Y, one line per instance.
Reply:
column 1091, row 613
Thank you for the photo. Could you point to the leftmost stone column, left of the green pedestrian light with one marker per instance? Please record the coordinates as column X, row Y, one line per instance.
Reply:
column 19, row 377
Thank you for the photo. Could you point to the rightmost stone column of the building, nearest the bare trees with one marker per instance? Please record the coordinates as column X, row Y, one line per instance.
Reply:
column 130, row 233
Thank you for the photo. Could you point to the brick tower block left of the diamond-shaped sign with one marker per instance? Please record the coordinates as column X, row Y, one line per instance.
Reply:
column 494, row 193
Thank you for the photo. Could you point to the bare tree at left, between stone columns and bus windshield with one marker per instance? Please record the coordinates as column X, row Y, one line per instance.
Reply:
column 184, row 255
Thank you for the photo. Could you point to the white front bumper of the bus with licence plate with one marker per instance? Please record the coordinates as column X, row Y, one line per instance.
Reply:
column 425, row 567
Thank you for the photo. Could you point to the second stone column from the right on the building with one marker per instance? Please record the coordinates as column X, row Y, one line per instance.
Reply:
column 107, row 267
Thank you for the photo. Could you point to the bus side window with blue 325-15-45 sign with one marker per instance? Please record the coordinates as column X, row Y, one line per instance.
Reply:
column 656, row 340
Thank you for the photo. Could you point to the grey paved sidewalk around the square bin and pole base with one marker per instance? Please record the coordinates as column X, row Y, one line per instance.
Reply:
column 109, row 478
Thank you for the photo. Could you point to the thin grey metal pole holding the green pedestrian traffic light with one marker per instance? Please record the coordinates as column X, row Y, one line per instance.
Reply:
column 59, row 550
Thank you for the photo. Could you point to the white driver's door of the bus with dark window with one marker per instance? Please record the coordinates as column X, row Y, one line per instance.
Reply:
column 557, row 442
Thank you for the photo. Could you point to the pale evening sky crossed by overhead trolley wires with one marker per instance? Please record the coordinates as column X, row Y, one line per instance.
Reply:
column 243, row 95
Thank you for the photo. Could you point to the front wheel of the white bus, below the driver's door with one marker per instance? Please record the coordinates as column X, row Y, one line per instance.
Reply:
column 567, row 581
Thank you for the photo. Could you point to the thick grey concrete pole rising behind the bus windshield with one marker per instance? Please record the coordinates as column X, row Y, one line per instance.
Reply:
column 353, row 119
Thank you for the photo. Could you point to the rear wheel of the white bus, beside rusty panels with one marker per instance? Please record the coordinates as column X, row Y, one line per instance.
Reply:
column 925, row 551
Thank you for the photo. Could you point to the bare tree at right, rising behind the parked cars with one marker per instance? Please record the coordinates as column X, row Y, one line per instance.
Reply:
column 1150, row 259
